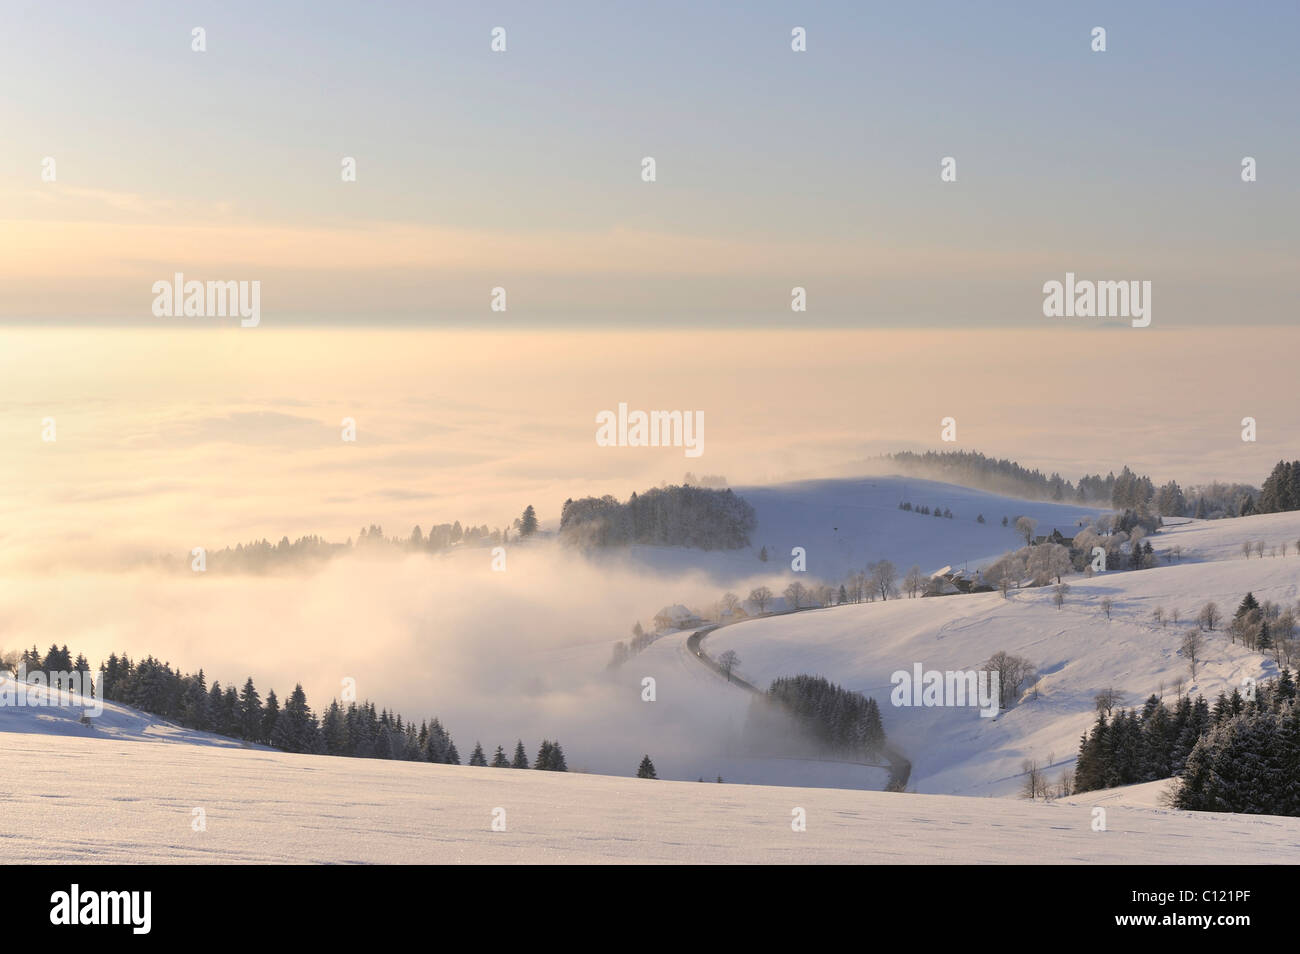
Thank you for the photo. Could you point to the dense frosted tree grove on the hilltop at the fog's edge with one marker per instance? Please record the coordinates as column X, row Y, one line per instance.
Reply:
column 686, row 515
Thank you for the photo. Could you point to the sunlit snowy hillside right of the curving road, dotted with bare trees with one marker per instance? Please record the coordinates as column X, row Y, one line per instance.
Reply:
column 1077, row 651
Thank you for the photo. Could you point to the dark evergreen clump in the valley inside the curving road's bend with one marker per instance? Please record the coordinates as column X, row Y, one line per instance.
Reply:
column 838, row 721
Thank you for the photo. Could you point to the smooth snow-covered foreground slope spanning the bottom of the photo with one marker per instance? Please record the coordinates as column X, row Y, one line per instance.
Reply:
column 85, row 801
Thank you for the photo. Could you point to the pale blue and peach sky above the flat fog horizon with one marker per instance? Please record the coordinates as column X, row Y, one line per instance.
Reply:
column 522, row 170
